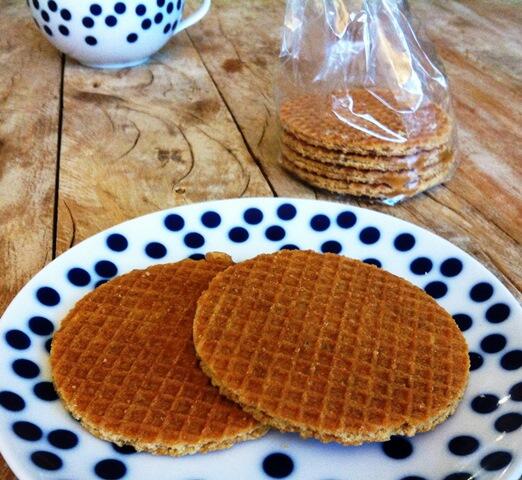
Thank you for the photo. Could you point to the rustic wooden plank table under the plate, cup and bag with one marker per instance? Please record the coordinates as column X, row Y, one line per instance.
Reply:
column 81, row 150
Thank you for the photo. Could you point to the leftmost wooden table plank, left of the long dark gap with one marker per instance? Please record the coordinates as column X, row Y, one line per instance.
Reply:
column 30, row 72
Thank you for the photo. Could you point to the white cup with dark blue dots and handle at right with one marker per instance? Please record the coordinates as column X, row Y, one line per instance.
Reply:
column 112, row 33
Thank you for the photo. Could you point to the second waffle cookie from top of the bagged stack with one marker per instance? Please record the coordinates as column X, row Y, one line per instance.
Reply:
column 418, row 160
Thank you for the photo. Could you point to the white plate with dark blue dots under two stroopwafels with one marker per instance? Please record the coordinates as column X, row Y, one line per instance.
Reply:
column 482, row 440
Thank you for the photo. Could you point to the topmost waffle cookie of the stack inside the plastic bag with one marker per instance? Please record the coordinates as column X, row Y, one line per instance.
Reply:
column 310, row 118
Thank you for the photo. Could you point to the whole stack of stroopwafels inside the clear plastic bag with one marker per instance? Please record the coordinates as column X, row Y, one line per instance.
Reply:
column 392, row 153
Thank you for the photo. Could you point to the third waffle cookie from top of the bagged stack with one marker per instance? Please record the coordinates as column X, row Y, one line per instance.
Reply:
column 400, row 178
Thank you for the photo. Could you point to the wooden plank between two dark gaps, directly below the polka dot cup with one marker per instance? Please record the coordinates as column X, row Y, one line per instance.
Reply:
column 138, row 140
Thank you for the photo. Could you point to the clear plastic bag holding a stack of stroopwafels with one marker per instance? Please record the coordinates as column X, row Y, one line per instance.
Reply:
column 363, row 100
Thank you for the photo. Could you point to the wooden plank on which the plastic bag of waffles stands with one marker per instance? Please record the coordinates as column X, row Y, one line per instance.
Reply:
column 479, row 209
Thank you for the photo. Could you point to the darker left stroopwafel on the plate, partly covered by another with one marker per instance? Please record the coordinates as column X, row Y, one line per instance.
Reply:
column 123, row 363
